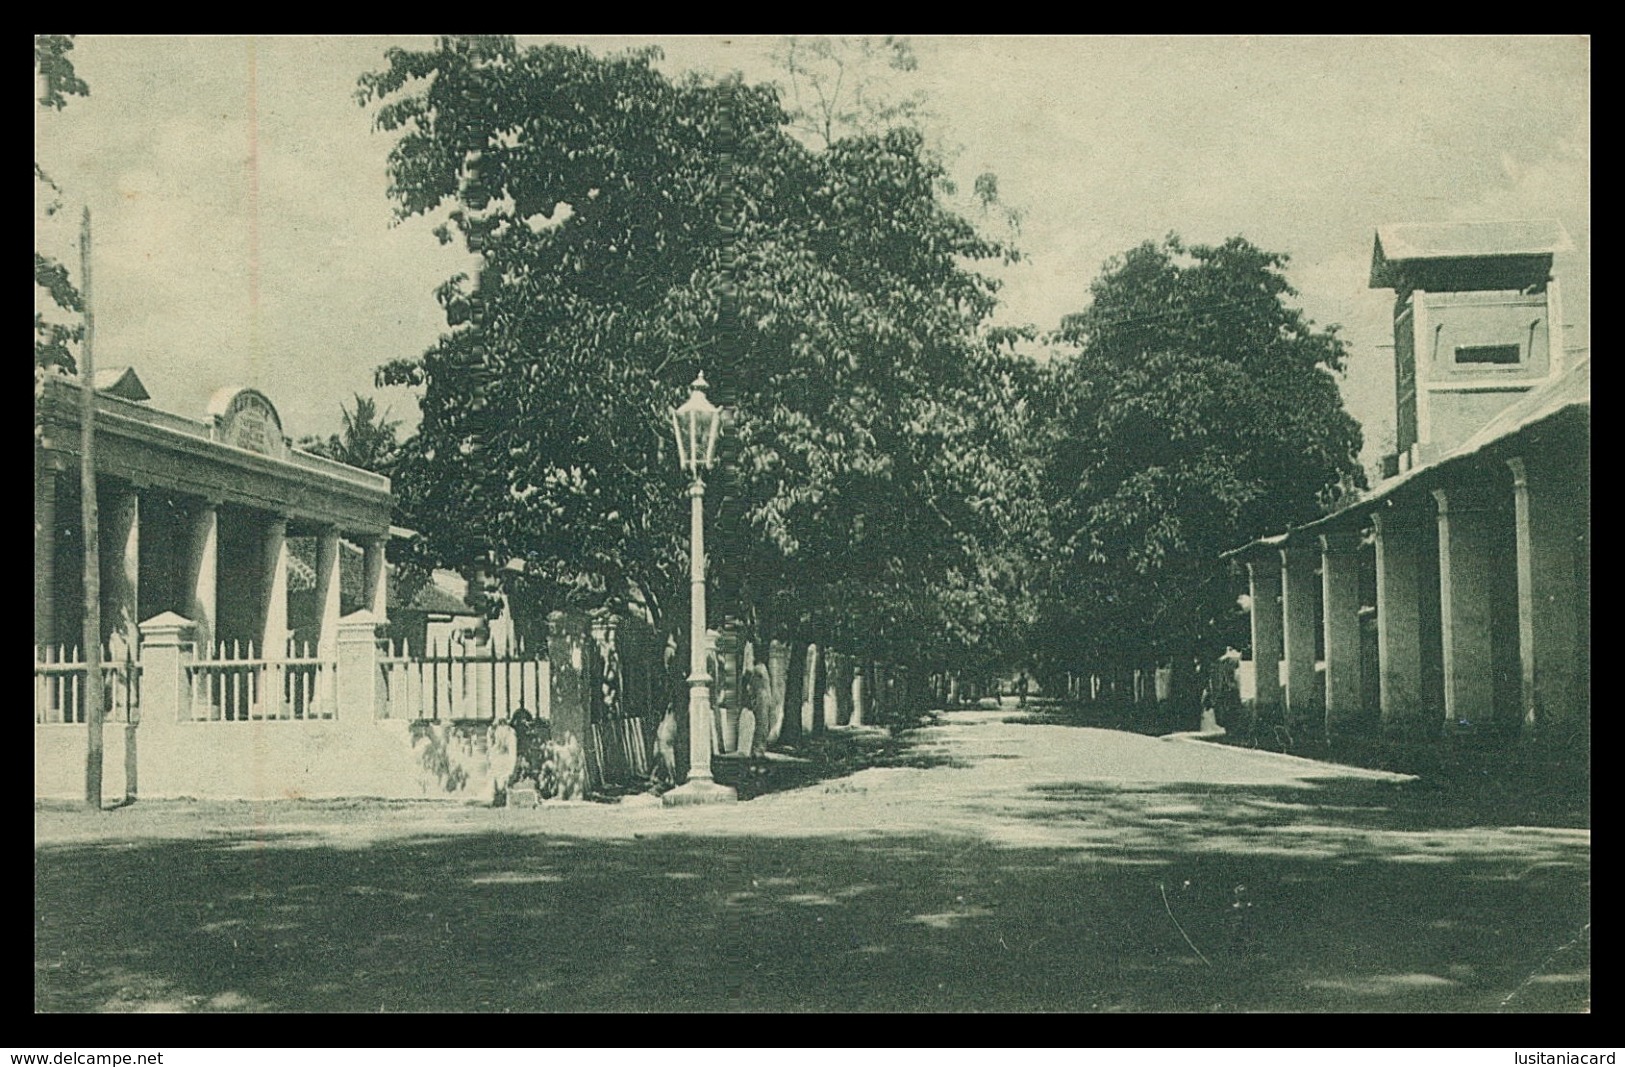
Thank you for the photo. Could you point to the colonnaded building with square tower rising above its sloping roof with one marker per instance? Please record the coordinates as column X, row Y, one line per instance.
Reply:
column 1457, row 594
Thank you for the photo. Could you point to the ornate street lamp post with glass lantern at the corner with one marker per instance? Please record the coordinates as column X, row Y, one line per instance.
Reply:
column 696, row 426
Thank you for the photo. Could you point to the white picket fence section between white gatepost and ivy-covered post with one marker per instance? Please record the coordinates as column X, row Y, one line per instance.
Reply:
column 451, row 681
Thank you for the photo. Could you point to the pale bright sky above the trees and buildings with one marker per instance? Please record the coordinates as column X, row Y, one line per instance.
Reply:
column 243, row 233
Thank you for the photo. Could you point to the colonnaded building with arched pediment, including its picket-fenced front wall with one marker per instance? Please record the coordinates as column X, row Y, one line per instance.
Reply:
column 253, row 646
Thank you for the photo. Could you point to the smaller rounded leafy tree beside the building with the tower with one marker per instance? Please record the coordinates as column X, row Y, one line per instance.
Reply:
column 1198, row 412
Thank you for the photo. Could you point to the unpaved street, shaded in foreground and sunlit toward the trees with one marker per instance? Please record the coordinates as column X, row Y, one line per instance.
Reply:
column 1003, row 863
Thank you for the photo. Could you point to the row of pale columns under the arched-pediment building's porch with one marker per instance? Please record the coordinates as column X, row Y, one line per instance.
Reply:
column 121, row 521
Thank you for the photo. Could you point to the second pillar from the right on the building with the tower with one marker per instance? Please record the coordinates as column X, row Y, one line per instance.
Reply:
column 1467, row 546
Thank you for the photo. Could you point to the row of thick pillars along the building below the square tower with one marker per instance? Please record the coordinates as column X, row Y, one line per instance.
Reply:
column 1470, row 527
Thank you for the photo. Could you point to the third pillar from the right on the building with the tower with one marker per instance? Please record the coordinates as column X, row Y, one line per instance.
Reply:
column 1398, row 618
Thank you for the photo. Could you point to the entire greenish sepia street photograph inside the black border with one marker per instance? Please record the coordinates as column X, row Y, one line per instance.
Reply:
column 813, row 524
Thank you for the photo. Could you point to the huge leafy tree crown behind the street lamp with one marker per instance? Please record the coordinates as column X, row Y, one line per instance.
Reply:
column 635, row 231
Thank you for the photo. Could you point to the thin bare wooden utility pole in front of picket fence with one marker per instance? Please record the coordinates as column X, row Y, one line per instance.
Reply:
column 93, row 681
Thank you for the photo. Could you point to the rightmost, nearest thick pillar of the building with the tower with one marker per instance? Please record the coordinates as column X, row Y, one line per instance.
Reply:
column 1549, row 527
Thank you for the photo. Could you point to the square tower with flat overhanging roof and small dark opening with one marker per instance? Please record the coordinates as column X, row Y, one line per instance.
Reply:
column 1478, row 324
